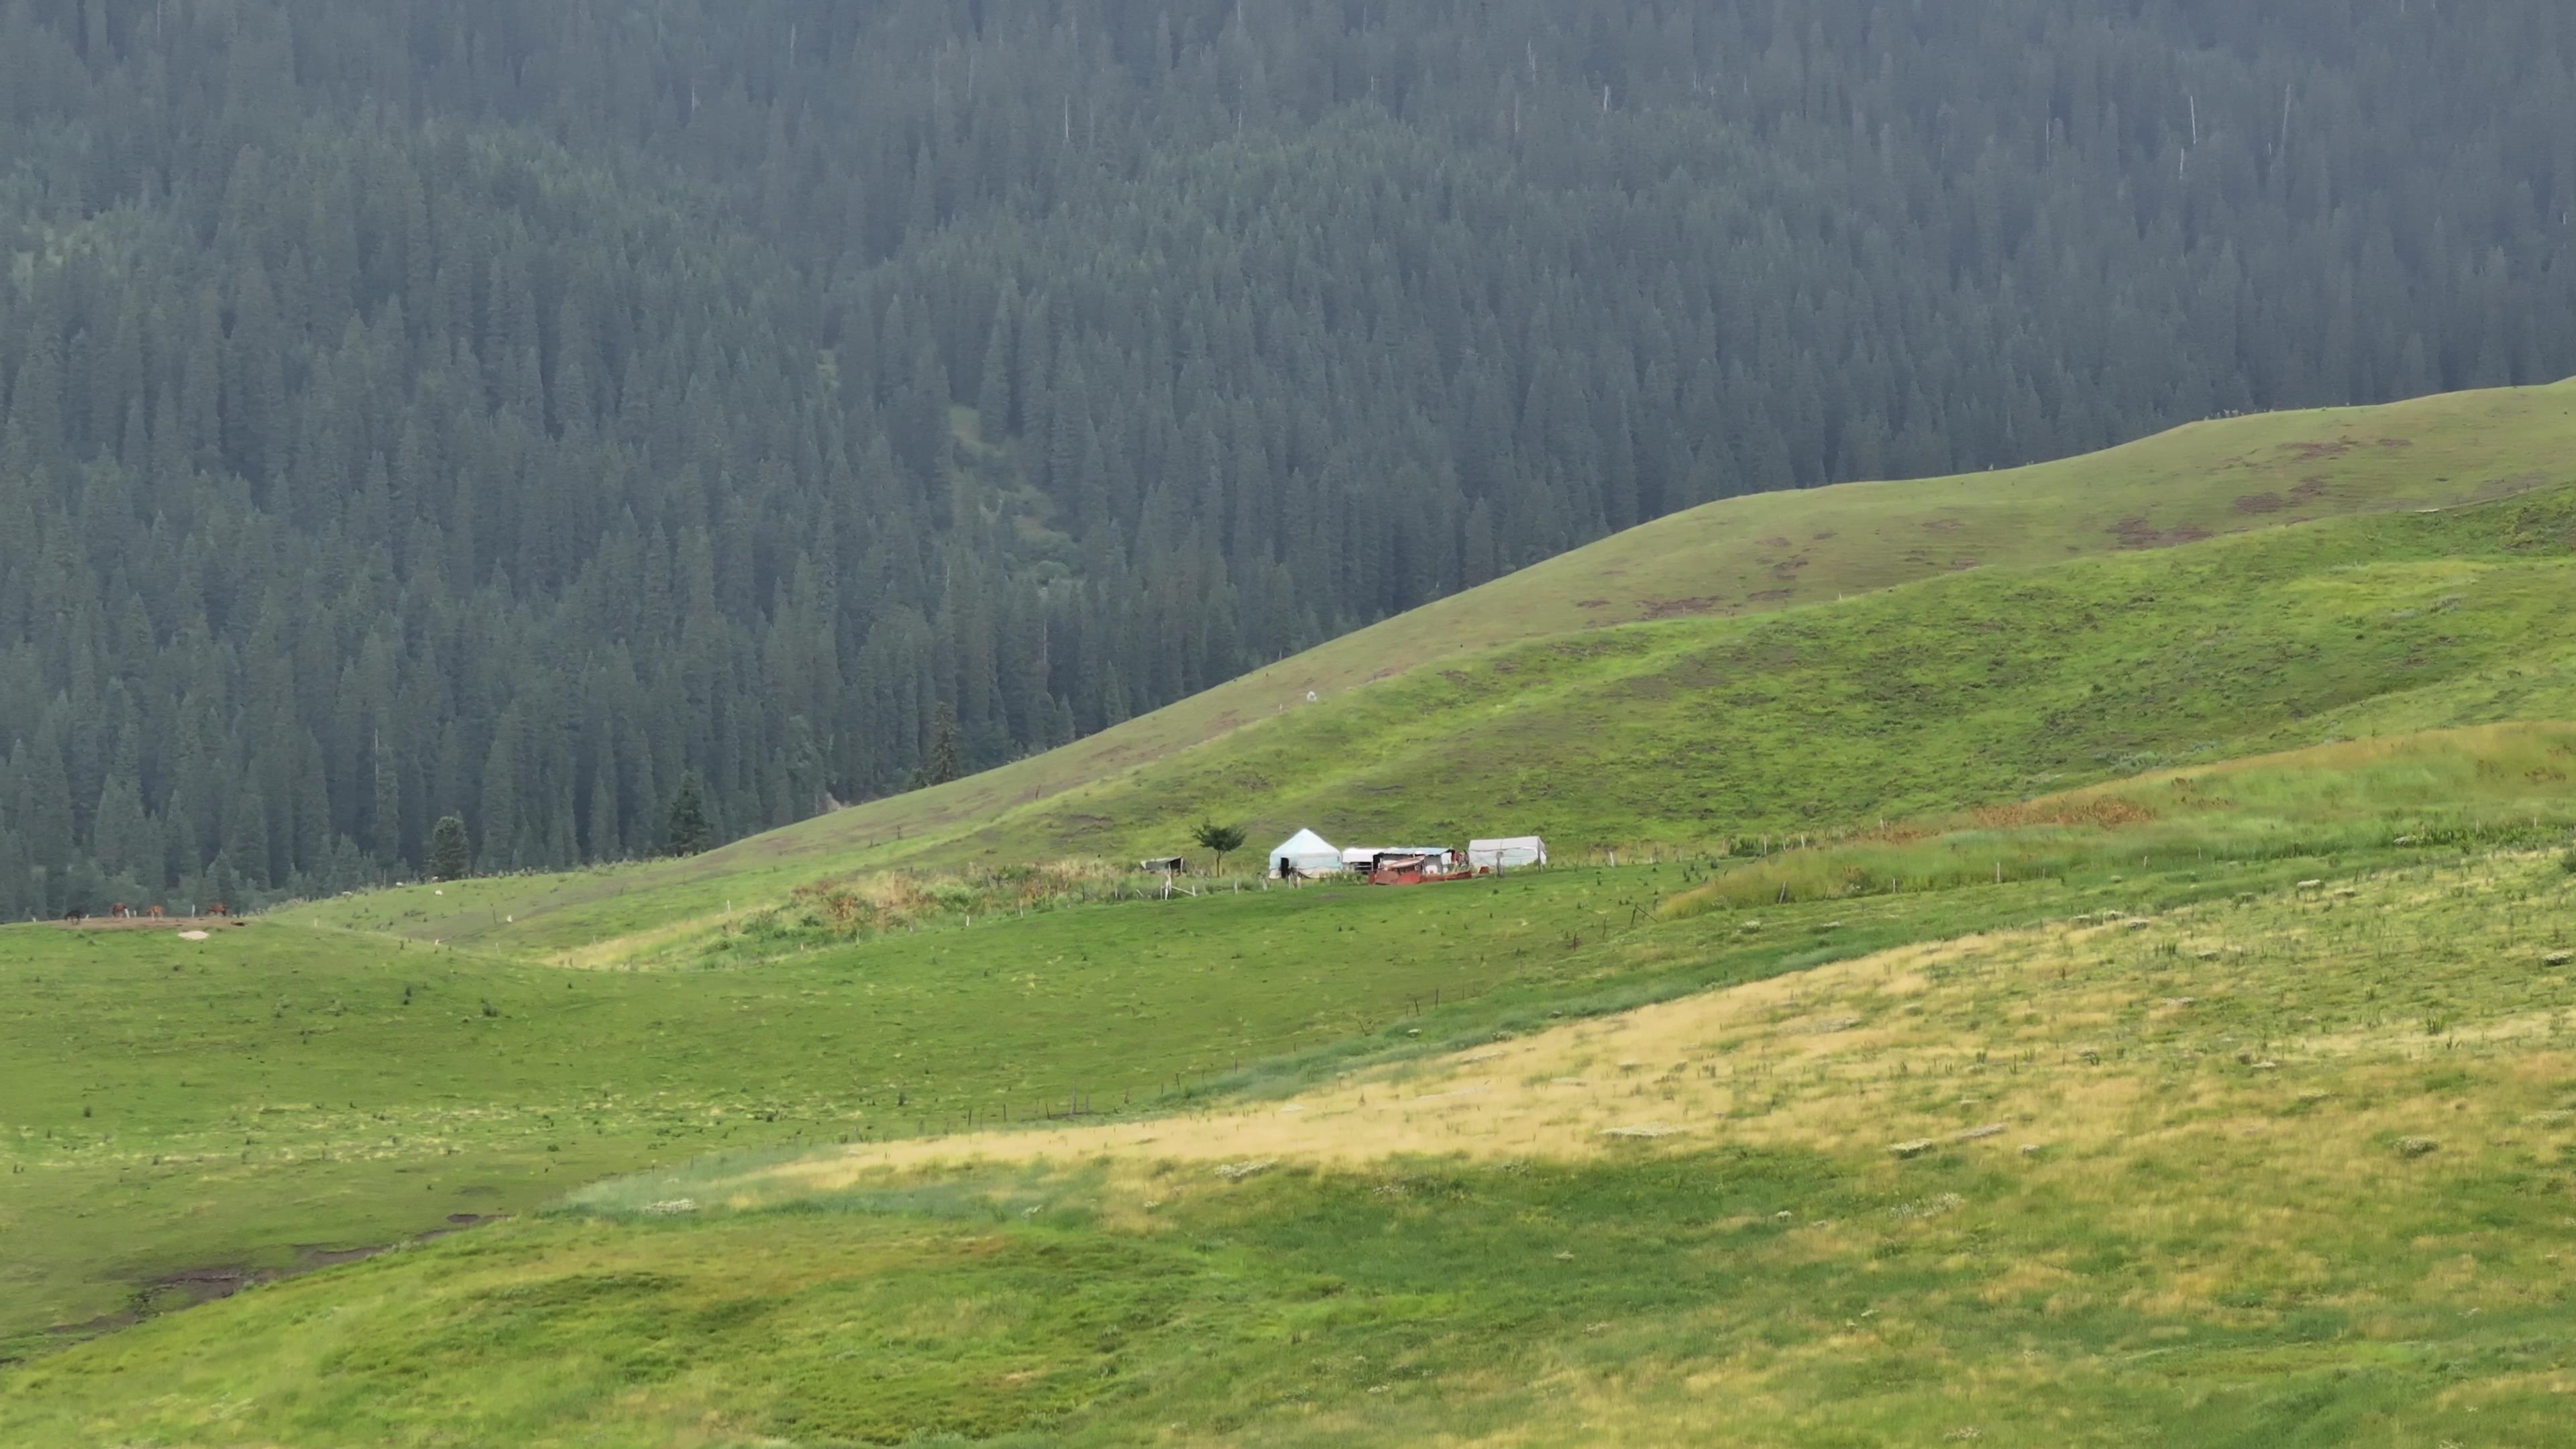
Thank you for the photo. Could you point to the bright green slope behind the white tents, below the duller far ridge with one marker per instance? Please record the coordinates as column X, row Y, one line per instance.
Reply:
column 1964, row 690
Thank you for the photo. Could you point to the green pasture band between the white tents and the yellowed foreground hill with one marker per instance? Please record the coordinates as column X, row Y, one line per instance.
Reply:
column 279, row 1094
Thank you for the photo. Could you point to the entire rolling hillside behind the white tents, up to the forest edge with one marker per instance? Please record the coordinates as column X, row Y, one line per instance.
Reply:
column 1730, row 672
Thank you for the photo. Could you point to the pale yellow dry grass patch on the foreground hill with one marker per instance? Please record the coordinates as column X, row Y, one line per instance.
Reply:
column 1977, row 1045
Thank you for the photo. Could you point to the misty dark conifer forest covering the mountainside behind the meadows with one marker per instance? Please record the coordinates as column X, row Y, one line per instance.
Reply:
column 498, row 409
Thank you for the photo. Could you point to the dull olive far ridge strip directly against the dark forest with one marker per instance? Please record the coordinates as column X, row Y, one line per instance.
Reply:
column 1740, row 558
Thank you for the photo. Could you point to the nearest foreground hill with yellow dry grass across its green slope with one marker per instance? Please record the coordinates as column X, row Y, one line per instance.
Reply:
column 2376, row 1076
